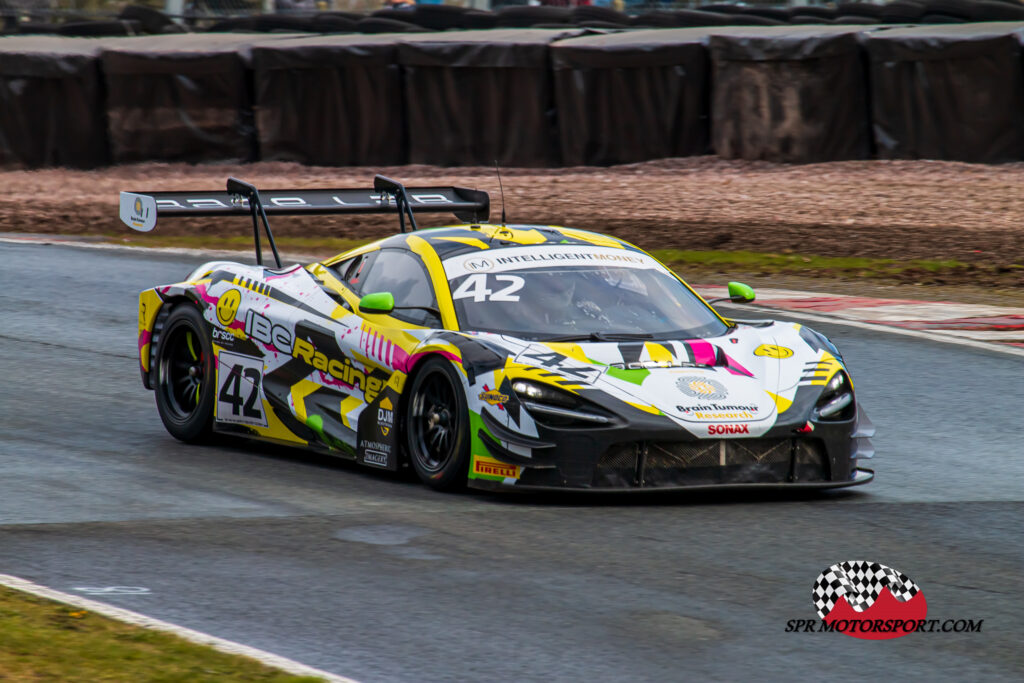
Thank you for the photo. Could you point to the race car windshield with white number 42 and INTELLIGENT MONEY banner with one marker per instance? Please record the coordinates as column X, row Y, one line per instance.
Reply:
column 575, row 292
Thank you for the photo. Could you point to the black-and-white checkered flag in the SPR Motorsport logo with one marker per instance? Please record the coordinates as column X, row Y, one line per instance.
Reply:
column 861, row 583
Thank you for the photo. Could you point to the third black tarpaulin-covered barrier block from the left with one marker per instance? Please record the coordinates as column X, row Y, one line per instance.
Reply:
column 333, row 101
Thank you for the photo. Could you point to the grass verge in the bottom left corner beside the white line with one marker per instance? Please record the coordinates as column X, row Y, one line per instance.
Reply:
column 41, row 641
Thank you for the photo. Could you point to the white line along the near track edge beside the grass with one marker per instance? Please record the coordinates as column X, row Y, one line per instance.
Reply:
column 129, row 617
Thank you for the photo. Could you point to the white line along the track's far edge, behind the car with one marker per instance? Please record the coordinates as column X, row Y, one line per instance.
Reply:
column 781, row 313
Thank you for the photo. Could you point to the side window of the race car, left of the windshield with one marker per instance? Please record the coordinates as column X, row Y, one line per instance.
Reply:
column 402, row 274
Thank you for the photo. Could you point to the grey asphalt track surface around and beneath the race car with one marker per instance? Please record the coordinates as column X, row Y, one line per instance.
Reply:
column 374, row 577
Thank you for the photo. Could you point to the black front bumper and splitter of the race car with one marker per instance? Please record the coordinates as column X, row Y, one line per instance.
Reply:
column 646, row 454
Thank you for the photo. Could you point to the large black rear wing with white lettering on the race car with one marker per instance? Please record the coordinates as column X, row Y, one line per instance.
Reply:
column 141, row 210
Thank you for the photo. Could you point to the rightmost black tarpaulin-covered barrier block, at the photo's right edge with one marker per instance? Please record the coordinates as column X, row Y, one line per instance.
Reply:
column 952, row 92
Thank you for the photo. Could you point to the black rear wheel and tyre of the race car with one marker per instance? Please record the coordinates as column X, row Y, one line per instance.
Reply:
column 185, row 382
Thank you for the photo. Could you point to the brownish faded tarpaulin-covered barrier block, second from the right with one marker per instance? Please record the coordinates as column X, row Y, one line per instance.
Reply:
column 790, row 95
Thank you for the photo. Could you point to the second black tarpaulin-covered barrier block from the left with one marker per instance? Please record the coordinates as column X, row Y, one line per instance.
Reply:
column 180, row 98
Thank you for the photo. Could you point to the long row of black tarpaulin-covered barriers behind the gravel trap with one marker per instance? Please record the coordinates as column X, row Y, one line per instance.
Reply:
column 531, row 98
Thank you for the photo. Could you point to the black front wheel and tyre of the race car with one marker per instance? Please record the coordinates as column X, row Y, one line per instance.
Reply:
column 438, row 430
